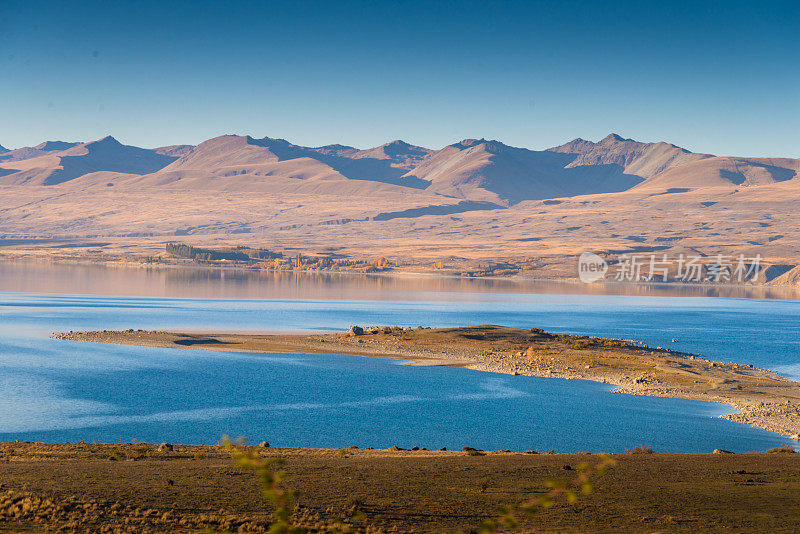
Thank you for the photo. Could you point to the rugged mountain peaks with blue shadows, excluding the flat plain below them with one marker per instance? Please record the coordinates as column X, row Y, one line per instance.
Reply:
column 476, row 170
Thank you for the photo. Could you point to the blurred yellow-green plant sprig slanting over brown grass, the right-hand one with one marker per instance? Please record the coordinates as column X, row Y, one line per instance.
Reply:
column 567, row 490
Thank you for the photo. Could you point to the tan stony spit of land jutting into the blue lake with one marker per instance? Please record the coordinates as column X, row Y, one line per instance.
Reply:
column 761, row 397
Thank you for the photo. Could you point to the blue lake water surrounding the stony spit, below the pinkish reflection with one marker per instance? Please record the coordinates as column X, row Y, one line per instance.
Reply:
column 52, row 390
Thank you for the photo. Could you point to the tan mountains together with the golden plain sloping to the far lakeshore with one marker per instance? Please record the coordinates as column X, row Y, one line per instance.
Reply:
column 473, row 203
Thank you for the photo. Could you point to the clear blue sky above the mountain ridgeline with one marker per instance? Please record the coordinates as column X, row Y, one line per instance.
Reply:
column 714, row 76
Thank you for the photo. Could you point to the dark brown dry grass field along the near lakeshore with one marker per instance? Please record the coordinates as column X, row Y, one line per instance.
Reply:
column 147, row 488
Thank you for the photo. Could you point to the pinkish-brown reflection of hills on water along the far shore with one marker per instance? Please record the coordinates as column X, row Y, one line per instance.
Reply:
column 202, row 282
